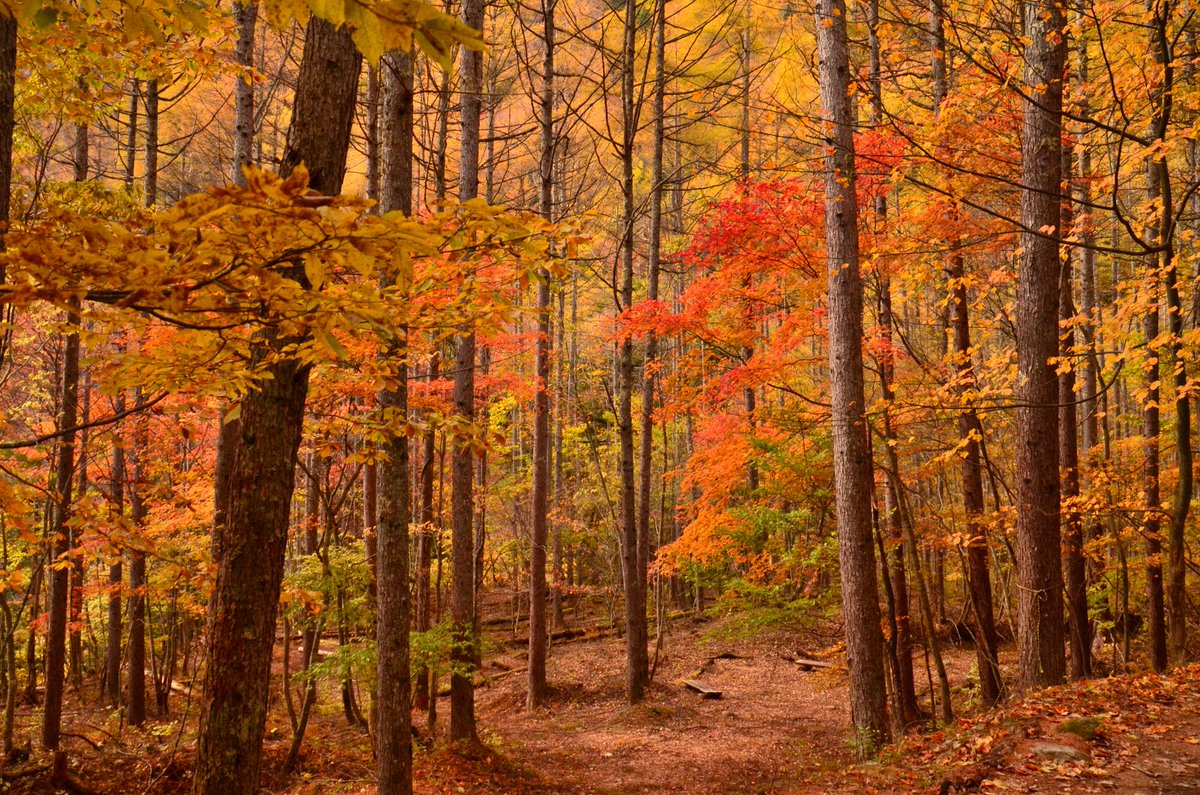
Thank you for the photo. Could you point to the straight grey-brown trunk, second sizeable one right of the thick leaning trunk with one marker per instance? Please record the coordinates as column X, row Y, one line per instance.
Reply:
column 463, row 507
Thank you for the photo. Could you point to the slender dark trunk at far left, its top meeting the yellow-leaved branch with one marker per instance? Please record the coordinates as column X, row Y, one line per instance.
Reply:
column 61, row 536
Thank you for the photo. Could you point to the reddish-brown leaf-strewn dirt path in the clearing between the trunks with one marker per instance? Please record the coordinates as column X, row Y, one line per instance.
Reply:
column 775, row 726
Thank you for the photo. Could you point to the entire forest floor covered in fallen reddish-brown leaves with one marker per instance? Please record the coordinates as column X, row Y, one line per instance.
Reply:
column 777, row 728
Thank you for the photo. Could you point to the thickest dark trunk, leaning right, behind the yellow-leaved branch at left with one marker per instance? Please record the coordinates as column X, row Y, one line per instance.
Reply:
column 263, row 457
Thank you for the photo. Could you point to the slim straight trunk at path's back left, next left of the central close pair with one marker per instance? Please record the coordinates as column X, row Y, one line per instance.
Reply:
column 541, row 498
